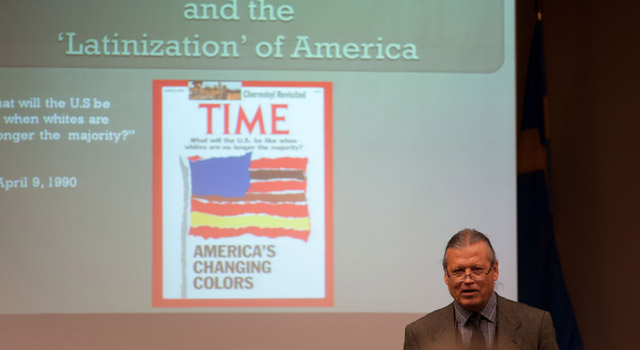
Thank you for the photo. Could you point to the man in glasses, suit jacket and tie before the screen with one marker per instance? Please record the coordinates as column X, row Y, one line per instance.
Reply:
column 478, row 318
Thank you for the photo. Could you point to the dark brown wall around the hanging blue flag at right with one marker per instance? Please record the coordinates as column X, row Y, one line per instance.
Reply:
column 593, row 71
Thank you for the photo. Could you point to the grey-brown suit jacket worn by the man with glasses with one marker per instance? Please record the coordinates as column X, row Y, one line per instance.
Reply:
column 519, row 327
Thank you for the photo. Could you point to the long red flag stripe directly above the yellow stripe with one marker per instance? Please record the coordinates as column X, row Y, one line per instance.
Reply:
column 229, row 209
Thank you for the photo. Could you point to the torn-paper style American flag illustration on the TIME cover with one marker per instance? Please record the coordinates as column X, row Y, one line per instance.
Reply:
column 232, row 196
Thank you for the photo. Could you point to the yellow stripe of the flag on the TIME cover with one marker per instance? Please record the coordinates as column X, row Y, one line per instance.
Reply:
column 262, row 221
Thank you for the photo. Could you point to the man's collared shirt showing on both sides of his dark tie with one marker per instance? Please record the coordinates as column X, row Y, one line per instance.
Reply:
column 487, row 324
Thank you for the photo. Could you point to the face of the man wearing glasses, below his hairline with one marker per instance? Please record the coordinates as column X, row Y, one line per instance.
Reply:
column 472, row 295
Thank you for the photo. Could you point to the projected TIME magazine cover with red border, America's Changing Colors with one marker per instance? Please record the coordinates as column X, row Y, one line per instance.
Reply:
column 242, row 193
